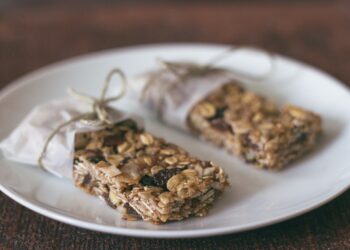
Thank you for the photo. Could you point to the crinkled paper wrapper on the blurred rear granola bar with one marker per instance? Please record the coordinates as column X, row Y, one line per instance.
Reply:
column 162, row 91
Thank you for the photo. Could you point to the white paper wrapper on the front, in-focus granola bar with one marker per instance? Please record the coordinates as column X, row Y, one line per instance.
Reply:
column 26, row 142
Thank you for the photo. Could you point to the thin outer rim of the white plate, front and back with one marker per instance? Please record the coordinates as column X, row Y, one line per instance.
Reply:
column 151, row 233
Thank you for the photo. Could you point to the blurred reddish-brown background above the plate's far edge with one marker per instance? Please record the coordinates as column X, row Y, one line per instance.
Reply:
column 37, row 32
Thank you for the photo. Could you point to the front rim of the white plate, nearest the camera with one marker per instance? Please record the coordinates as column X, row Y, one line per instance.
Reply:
column 168, row 234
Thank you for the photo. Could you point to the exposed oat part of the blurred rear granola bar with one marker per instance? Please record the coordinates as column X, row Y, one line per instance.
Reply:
column 252, row 127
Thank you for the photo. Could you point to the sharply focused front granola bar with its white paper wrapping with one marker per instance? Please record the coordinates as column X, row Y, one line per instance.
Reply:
column 108, row 153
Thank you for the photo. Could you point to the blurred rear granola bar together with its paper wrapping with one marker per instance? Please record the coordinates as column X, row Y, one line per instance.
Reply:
column 210, row 102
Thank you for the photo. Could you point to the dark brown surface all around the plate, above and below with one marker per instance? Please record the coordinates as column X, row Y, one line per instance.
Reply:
column 35, row 33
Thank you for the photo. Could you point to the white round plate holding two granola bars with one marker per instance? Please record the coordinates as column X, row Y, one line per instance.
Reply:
column 257, row 198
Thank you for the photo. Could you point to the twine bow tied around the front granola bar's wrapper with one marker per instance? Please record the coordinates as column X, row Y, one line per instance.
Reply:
column 99, row 114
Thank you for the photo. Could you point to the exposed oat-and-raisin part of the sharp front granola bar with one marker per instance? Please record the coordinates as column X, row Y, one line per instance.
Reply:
column 145, row 177
